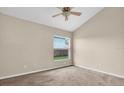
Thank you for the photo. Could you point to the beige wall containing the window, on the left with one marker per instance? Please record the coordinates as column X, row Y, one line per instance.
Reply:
column 26, row 47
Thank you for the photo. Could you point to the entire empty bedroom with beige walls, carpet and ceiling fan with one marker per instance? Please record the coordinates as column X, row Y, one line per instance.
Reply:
column 61, row 46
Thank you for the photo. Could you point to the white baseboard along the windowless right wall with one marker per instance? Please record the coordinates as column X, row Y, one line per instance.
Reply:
column 96, row 70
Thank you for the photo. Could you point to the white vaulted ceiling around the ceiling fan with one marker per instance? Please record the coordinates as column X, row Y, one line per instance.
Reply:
column 43, row 15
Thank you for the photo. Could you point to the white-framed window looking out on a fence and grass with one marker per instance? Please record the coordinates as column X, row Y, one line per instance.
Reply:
column 61, row 48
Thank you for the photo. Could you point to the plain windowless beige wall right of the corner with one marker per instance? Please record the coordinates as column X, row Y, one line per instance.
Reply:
column 99, row 44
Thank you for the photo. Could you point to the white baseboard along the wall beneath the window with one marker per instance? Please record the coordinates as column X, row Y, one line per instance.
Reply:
column 31, row 72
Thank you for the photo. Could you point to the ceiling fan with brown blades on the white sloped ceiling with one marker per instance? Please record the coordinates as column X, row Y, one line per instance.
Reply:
column 66, row 12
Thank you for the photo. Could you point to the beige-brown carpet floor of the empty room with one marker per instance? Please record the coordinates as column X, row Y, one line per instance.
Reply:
column 69, row 76
